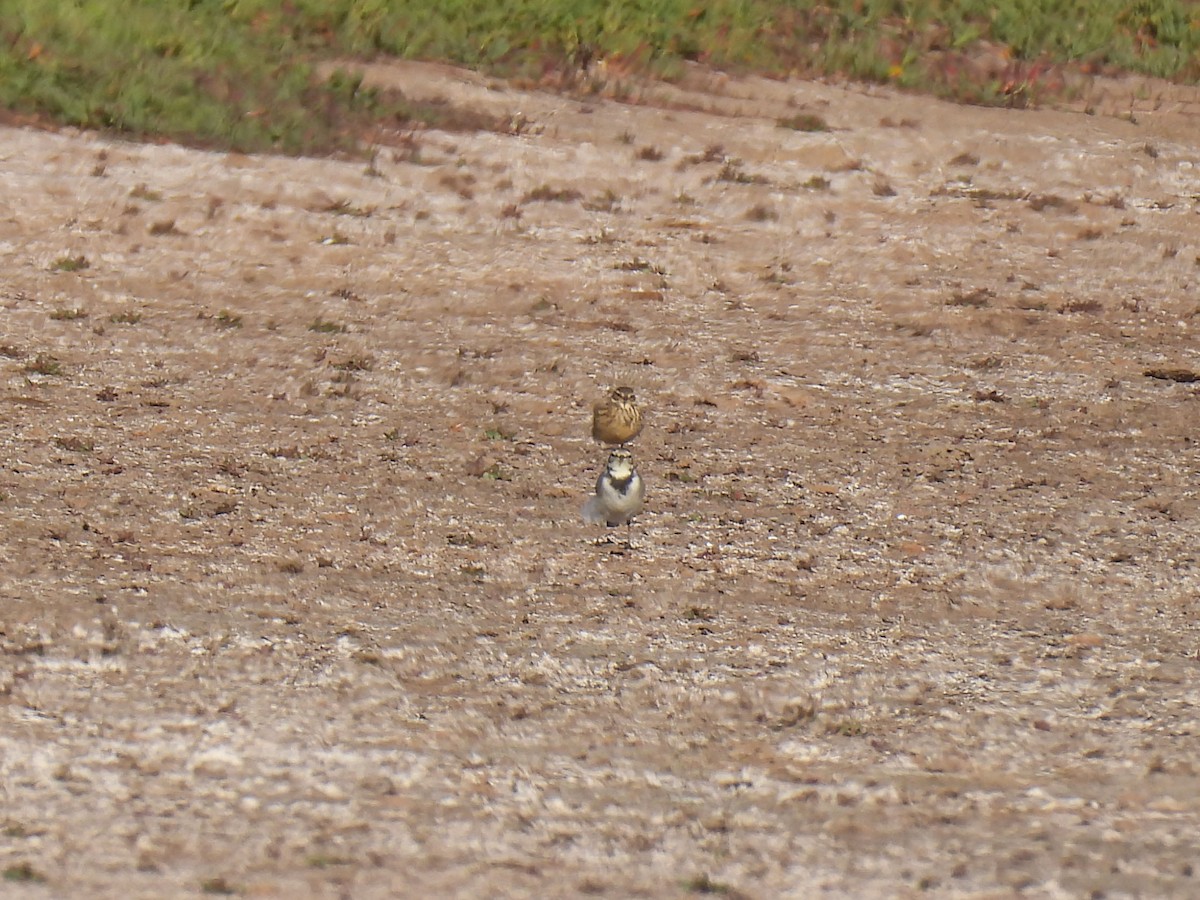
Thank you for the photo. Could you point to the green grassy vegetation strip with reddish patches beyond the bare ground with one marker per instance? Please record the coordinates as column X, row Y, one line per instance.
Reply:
column 239, row 74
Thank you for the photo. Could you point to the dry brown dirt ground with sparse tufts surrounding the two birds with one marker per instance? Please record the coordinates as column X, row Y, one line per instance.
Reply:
column 297, row 601
